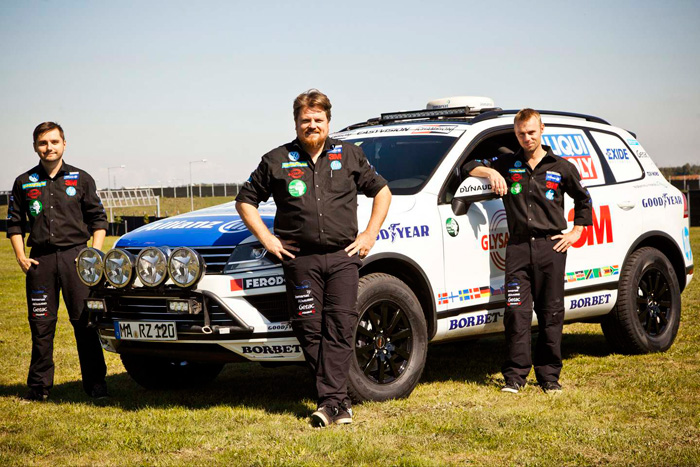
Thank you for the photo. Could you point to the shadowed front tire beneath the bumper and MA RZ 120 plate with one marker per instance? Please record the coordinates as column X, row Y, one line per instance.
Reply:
column 163, row 373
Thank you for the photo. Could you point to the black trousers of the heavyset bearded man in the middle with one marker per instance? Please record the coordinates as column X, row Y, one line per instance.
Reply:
column 322, row 297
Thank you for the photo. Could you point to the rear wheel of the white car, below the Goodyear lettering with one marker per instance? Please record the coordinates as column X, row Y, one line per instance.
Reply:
column 648, row 310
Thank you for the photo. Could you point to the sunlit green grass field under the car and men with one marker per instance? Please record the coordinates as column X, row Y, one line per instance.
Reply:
column 620, row 410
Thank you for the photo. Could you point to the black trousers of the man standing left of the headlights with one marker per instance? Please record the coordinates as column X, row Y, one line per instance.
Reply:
column 56, row 271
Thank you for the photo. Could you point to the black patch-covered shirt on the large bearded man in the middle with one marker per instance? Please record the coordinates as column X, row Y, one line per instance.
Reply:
column 316, row 203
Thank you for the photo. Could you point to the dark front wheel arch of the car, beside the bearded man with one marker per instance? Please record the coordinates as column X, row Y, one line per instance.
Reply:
column 407, row 270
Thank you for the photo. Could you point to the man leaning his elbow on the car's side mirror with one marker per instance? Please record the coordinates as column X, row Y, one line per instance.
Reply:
column 533, row 182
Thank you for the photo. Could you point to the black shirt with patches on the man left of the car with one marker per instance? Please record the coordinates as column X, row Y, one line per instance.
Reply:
column 63, row 211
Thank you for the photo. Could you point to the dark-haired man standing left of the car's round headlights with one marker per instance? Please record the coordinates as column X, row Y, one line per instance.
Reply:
column 61, row 204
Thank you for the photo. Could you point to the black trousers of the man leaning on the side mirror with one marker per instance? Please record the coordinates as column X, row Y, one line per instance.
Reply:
column 534, row 276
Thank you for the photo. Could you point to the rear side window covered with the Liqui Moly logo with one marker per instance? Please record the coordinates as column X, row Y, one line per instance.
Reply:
column 573, row 145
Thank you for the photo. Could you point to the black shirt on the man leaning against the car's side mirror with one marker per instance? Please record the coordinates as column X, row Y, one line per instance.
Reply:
column 535, row 199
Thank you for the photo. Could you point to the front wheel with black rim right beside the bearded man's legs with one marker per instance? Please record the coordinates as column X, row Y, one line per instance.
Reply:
column 391, row 340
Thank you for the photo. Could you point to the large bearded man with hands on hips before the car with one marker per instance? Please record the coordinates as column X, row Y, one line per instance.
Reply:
column 314, row 181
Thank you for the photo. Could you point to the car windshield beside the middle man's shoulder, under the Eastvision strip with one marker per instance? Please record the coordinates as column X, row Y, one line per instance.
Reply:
column 406, row 161
